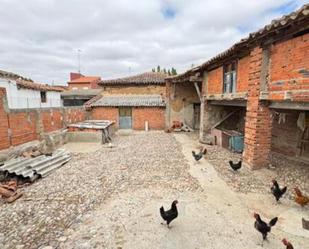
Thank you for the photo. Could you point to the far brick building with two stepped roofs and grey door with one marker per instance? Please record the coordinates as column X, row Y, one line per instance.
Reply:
column 132, row 101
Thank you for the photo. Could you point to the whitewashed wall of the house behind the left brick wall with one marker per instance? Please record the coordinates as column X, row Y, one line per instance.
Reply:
column 28, row 98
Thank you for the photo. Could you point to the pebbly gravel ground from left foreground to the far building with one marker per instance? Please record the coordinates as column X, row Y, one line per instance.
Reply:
column 52, row 205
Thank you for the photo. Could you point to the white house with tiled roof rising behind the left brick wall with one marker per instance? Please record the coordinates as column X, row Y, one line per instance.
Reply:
column 23, row 93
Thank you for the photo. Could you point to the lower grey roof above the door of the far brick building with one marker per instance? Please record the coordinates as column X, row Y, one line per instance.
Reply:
column 129, row 100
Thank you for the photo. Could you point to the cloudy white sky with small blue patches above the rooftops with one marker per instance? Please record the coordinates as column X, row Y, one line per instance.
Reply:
column 40, row 38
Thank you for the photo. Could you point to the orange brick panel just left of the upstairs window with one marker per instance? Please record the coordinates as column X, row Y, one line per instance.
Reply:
column 215, row 81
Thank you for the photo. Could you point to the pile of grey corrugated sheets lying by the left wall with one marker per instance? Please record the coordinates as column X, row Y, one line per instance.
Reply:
column 41, row 165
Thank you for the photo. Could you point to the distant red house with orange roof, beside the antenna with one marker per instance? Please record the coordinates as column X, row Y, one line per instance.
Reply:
column 81, row 82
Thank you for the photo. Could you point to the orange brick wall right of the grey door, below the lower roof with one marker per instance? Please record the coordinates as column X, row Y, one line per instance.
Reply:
column 154, row 116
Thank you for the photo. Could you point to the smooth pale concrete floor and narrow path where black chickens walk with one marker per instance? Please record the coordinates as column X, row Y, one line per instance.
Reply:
column 210, row 217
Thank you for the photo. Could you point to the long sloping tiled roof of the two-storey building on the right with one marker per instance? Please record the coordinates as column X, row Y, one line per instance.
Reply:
column 267, row 31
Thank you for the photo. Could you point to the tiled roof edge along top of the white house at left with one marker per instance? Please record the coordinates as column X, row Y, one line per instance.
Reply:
column 23, row 82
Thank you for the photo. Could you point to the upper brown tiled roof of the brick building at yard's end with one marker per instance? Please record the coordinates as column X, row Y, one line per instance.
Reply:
column 144, row 78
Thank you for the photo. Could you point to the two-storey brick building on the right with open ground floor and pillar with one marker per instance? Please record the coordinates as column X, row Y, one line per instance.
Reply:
column 258, row 88
